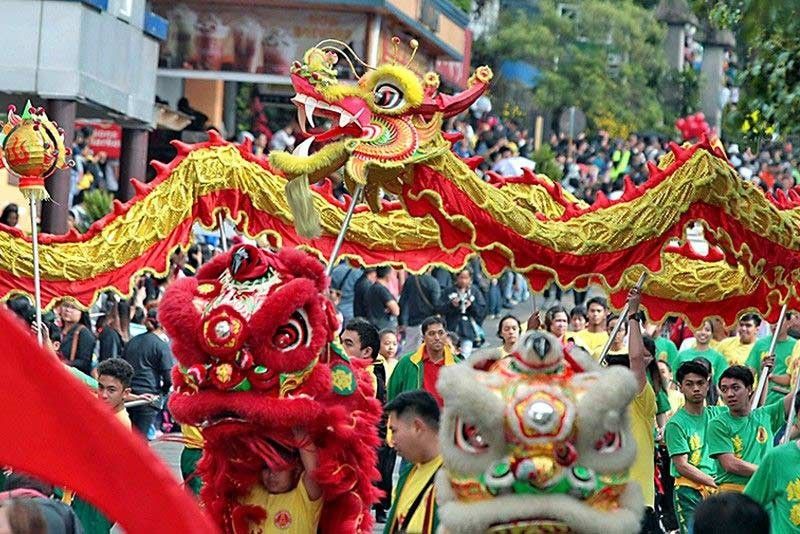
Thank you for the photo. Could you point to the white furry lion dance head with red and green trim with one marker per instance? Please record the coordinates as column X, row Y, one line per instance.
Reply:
column 530, row 445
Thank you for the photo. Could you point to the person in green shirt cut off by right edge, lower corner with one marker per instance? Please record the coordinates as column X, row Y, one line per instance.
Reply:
column 776, row 485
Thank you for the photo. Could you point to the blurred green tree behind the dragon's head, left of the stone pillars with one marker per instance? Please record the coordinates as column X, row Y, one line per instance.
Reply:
column 607, row 60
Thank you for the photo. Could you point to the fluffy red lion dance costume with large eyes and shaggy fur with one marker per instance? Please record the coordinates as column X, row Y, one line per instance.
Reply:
column 252, row 334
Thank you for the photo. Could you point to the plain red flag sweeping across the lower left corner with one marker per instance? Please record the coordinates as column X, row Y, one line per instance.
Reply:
column 56, row 430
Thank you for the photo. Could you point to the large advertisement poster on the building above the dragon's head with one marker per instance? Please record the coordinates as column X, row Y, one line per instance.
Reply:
column 219, row 37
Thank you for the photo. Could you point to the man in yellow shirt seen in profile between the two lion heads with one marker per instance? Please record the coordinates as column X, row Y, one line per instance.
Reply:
column 414, row 423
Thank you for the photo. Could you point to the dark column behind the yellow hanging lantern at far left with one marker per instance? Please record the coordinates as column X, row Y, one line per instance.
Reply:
column 54, row 213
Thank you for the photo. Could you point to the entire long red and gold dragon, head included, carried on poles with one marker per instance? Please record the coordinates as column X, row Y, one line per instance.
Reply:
column 385, row 136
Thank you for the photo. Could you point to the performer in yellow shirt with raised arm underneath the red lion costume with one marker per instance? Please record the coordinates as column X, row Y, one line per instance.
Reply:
column 288, row 495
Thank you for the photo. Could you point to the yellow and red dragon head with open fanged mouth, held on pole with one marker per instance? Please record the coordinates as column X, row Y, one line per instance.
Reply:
column 378, row 128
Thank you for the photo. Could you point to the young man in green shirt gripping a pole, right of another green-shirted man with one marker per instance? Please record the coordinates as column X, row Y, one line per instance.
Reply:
column 739, row 438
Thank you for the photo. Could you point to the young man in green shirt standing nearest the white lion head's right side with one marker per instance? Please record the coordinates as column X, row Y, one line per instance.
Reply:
column 685, row 435
